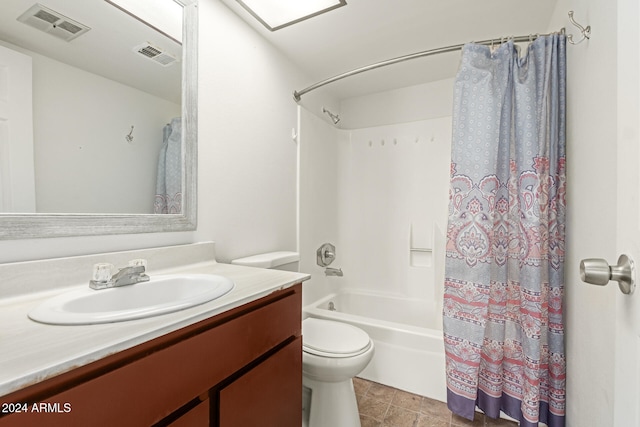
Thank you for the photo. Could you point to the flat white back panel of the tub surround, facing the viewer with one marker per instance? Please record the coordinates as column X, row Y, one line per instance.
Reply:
column 392, row 193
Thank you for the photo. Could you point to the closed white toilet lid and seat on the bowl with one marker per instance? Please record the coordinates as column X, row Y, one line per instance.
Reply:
column 329, row 338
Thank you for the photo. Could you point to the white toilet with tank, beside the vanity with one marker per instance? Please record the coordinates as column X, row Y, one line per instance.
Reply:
column 332, row 354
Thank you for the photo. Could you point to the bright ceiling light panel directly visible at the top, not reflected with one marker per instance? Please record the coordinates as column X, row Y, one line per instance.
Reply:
column 276, row 14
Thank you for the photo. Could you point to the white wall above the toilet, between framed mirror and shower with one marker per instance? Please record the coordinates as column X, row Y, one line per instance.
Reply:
column 247, row 156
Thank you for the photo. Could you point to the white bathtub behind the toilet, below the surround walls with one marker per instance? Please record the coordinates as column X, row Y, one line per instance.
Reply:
column 407, row 334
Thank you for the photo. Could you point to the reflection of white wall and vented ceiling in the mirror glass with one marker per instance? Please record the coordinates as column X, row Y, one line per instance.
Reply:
column 100, row 102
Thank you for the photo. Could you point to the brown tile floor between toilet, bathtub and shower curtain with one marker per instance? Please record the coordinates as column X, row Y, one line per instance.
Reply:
column 382, row 406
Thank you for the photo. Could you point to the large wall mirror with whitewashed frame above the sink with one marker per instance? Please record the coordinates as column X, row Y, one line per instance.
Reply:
column 95, row 170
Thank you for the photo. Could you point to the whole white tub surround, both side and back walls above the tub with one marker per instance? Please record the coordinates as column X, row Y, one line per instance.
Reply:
column 380, row 195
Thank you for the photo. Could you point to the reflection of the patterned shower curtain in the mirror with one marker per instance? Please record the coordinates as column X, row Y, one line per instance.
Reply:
column 168, row 198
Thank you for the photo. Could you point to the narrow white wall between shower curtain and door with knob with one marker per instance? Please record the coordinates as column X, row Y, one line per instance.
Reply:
column 591, row 216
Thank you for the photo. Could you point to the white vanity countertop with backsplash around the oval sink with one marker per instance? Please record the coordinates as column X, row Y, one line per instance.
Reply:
column 22, row 360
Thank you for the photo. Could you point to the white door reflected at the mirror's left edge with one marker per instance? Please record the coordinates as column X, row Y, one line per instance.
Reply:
column 17, row 187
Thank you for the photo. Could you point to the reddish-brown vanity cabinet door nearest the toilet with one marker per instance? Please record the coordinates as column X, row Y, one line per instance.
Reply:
column 269, row 395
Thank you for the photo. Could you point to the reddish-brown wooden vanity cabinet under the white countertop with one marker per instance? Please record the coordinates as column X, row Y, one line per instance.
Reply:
column 240, row 368
